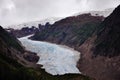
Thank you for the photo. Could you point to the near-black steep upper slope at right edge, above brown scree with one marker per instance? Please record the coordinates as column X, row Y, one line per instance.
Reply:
column 108, row 41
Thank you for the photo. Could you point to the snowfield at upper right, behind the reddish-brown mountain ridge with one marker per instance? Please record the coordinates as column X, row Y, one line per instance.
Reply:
column 104, row 13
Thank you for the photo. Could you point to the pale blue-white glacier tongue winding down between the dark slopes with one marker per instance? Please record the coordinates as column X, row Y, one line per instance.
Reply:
column 56, row 59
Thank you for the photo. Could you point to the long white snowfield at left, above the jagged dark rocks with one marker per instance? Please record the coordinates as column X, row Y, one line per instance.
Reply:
column 35, row 23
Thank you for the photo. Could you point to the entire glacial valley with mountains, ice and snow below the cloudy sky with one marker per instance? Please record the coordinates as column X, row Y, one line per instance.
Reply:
column 85, row 46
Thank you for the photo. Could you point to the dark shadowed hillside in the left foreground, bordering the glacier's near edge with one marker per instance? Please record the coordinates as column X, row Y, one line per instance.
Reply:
column 18, row 64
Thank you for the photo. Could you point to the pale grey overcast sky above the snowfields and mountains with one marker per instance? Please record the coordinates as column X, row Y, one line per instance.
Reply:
column 19, row 11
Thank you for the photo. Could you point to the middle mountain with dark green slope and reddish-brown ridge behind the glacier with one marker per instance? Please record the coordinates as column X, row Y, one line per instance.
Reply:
column 71, row 31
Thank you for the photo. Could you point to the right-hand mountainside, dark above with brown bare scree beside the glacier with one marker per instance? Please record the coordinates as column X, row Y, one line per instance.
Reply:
column 101, row 52
